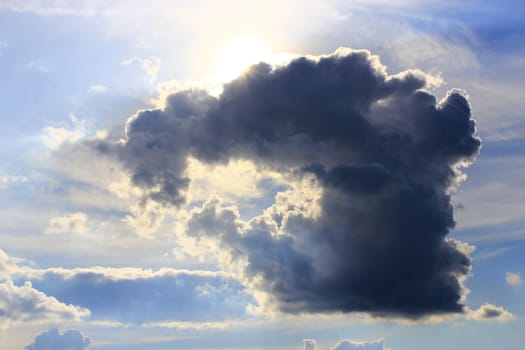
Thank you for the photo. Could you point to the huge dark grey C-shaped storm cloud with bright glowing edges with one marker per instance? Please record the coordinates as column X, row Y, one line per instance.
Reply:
column 384, row 152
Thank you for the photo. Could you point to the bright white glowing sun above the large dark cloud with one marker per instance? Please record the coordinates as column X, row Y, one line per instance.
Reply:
column 238, row 55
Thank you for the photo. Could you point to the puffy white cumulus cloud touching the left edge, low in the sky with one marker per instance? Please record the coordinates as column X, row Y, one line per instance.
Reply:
column 27, row 304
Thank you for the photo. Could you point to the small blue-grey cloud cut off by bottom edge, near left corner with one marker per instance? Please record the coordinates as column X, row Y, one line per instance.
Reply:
column 54, row 339
